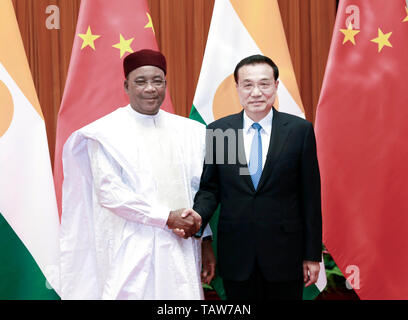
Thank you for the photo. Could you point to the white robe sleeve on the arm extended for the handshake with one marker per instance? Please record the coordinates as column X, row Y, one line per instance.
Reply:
column 115, row 194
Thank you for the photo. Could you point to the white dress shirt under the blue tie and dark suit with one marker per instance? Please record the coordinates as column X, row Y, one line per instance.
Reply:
column 249, row 132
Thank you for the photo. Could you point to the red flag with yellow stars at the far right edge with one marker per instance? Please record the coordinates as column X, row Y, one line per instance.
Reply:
column 362, row 133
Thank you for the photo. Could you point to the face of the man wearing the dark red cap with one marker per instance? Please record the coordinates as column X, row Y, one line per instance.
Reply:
column 146, row 88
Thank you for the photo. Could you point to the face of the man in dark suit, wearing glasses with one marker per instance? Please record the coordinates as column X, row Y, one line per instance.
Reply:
column 257, row 89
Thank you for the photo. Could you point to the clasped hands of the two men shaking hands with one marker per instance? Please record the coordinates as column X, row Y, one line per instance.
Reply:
column 184, row 222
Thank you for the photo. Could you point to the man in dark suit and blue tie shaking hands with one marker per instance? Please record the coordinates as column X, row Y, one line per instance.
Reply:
column 261, row 167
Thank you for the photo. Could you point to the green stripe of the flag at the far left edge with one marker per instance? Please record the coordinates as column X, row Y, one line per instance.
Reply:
column 20, row 276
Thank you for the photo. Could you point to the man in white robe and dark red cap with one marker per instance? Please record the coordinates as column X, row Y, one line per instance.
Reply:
column 127, row 178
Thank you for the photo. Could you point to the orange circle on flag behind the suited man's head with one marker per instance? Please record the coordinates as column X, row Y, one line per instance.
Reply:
column 226, row 99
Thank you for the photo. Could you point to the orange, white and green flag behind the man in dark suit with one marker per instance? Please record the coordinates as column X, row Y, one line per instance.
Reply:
column 240, row 28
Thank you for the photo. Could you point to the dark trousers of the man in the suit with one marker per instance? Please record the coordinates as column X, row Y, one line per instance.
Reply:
column 258, row 288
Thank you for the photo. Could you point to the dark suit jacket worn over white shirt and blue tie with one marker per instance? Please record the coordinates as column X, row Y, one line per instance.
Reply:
column 280, row 222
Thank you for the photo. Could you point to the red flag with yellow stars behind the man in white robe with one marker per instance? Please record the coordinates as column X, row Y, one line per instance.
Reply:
column 106, row 32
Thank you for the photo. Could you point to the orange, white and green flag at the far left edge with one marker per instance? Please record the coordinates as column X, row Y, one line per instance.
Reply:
column 29, row 250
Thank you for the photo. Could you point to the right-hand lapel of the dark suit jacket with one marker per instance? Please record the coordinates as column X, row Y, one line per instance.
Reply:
column 277, row 141
